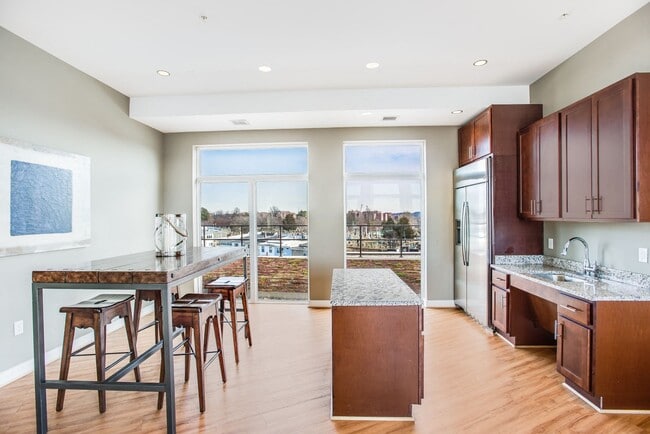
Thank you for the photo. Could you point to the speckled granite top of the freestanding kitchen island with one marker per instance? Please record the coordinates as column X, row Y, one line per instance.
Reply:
column 371, row 287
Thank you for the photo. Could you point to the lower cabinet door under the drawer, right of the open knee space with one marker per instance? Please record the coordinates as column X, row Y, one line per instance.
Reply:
column 574, row 352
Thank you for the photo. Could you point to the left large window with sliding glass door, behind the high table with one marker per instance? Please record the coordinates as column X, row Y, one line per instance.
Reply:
column 260, row 190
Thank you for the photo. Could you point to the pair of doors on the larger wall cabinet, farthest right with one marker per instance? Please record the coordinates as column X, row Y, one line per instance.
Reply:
column 598, row 156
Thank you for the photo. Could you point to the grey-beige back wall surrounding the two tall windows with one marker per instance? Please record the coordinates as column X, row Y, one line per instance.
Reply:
column 326, row 219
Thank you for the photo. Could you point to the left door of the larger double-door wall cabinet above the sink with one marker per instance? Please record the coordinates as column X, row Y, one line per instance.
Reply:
column 577, row 200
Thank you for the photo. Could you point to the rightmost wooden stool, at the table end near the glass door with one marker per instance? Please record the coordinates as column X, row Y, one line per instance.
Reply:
column 230, row 288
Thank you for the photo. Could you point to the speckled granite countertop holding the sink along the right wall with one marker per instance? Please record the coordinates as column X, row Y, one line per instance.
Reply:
column 591, row 289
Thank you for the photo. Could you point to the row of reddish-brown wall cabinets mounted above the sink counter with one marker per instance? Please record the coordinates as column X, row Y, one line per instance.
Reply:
column 604, row 158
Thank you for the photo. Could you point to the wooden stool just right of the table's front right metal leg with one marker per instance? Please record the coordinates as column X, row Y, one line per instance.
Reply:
column 195, row 313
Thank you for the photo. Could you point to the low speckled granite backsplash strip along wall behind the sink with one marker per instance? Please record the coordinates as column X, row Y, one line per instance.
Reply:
column 628, row 277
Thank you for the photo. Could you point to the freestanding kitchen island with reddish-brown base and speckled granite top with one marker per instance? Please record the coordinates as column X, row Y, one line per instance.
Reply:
column 377, row 345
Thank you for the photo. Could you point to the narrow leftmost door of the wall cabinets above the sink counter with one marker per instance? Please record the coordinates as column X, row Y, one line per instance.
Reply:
column 528, row 172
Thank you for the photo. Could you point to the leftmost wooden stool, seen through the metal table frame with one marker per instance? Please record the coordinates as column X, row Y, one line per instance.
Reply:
column 97, row 313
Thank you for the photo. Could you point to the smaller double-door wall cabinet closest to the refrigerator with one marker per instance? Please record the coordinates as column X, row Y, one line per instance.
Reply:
column 539, row 169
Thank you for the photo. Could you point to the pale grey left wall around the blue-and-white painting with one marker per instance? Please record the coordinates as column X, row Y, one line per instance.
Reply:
column 47, row 102
